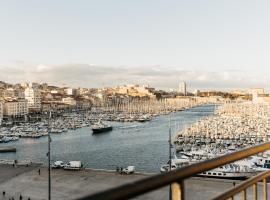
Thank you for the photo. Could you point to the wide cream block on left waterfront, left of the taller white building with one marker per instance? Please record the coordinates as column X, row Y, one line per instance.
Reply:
column 15, row 107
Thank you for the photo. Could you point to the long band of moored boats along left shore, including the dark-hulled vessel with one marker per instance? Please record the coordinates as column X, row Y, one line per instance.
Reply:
column 131, row 112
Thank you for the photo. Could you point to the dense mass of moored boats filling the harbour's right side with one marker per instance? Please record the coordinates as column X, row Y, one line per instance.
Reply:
column 234, row 127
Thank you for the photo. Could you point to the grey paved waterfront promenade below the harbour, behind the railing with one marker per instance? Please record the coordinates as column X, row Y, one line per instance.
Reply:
column 27, row 182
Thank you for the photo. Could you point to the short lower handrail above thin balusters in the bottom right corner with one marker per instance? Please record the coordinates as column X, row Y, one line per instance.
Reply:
column 242, row 186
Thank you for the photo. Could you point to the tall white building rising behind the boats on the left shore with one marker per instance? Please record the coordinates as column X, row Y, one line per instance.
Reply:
column 33, row 96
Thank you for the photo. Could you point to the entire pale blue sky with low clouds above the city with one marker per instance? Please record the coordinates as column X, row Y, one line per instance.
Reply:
column 212, row 44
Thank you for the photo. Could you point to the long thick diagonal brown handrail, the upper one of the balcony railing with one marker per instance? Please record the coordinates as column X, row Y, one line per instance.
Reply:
column 140, row 187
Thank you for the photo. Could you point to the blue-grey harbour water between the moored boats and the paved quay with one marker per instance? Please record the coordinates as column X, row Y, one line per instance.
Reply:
column 144, row 145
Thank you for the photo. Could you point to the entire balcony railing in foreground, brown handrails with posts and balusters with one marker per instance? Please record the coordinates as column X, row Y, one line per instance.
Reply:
column 177, row 177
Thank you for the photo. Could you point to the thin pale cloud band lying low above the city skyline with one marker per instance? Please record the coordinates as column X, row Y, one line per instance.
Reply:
column 85, row 75
